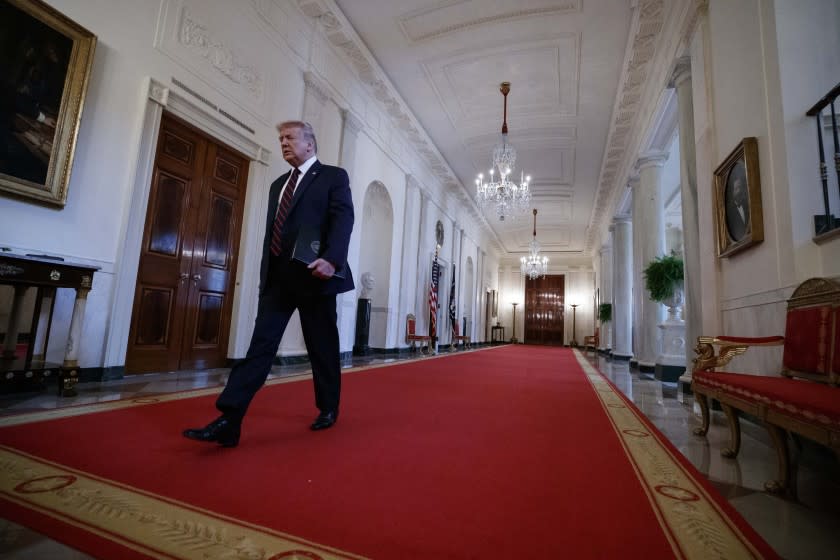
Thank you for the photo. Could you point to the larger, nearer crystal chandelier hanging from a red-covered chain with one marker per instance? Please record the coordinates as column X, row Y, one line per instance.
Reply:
column 508, row 197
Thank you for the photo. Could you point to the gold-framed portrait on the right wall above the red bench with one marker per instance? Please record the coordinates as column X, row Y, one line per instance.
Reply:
column 737, row 195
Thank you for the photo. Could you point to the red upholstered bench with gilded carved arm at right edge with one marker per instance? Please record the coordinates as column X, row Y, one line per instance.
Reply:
column 803, row 398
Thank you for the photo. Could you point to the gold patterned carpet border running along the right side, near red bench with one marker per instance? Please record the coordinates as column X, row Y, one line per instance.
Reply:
column 692, row 520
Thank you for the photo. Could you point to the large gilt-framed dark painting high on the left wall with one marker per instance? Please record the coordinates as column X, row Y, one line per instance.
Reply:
column 45, row 63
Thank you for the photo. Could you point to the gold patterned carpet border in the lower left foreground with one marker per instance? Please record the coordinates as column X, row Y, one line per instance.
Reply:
column 135, row 519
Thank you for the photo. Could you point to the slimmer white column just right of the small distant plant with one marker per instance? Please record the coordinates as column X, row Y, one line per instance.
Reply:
column 622, row 288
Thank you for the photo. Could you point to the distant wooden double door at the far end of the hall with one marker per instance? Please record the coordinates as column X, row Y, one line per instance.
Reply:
column 544, row 305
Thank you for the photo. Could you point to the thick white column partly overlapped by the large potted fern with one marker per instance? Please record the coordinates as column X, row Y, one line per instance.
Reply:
column 649, row 242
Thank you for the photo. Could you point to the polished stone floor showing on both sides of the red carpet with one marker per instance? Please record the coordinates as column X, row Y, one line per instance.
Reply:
column 803, row 529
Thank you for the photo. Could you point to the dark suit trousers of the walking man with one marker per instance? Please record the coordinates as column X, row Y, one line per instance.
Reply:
column 318, row 321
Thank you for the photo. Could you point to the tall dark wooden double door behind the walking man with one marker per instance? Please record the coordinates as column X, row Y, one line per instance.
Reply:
column 185, row 281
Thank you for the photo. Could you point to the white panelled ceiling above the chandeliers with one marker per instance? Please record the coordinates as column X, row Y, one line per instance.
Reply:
column 564, row 60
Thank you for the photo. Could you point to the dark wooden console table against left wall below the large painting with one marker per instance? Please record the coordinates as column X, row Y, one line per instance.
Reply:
column 45, row 274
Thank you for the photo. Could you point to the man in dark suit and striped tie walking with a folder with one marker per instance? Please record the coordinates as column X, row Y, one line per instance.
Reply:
column 312, row 197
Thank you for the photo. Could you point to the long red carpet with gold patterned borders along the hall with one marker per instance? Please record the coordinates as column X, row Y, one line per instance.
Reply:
column 511, row 452
